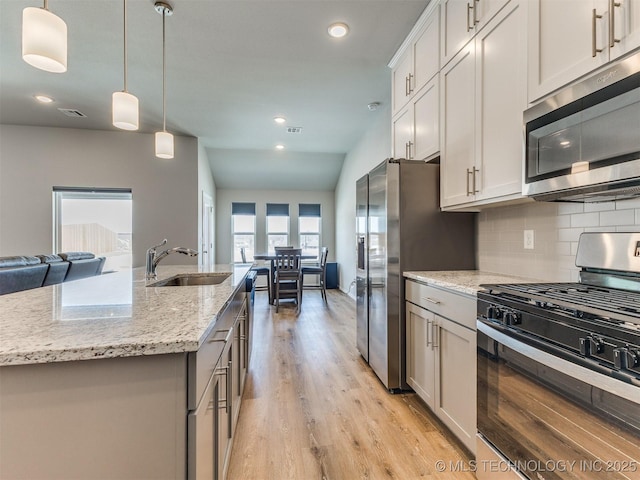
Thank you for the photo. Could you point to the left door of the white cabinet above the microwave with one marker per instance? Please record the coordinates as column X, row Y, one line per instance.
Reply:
column 563, row 34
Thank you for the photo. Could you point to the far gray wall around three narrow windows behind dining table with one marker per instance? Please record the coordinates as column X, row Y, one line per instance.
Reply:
column 224, row 198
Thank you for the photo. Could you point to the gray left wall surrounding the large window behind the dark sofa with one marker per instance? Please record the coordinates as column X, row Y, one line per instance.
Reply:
column 34, row 159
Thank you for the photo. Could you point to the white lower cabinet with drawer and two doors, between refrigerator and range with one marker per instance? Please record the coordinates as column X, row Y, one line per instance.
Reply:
column 441, row 356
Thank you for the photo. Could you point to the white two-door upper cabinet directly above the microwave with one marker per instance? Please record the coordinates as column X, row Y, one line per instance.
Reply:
column 570, row 38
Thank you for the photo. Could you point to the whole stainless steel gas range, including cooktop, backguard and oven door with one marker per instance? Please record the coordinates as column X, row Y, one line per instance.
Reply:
column 559, row 370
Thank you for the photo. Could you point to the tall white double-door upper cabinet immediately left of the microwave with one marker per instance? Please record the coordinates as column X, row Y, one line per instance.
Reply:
column 483, row 95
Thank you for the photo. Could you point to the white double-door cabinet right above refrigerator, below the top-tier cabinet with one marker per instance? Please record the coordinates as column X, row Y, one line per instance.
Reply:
column 416, row 126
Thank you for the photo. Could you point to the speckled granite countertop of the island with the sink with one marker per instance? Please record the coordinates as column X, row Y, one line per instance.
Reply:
column 112, row 315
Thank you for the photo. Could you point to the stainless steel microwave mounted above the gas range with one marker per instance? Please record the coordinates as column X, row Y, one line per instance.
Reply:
column 583, row 144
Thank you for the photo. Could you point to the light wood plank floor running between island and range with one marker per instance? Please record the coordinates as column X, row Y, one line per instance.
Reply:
column 313, row 409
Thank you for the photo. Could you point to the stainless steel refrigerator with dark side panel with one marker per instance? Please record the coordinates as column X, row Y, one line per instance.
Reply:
column 399, row 227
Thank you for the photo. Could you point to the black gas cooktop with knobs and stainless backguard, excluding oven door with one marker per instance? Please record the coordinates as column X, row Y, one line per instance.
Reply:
column 597, row 319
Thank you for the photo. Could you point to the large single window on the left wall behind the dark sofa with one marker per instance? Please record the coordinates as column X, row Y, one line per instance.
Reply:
column 96, row 221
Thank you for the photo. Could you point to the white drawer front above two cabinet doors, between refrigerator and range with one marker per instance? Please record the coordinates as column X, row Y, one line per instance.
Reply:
column 454, row 306
